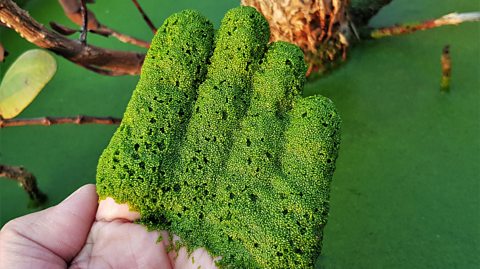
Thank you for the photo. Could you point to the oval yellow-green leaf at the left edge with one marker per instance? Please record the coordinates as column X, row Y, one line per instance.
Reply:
column 25, row 78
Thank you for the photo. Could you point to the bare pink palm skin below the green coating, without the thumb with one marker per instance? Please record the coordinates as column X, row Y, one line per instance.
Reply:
column 114, row 241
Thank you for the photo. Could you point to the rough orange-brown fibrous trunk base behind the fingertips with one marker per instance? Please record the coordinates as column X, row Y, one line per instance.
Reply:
column 319, row 27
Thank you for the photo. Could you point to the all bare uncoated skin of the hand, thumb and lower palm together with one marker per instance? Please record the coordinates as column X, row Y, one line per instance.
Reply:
column 81, row 232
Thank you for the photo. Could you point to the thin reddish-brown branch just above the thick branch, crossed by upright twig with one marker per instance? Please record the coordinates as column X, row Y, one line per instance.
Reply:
column 72, row 9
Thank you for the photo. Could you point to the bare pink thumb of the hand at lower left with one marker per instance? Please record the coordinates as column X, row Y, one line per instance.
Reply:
column 52, row 237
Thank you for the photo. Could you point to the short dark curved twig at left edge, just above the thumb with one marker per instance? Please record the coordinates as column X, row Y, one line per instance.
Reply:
column 27, row 181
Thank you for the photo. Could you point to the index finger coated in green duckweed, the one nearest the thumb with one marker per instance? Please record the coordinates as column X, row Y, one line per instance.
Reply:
column 144, row 146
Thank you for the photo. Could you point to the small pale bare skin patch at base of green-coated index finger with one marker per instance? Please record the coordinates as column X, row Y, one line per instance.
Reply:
column 109, row 210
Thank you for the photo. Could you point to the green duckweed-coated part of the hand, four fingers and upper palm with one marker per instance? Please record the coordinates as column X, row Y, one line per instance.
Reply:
column 230, row 158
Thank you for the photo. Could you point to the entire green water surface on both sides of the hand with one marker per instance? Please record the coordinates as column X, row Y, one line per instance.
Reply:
column 406, row 191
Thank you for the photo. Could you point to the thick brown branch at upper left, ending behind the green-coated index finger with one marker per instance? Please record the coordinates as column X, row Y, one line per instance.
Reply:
column 116, row 62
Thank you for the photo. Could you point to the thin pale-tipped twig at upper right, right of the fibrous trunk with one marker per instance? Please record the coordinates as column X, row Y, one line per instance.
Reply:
column 450, row 19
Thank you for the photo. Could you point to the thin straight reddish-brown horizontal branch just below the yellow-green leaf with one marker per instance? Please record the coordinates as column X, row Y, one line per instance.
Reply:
column 47, row 121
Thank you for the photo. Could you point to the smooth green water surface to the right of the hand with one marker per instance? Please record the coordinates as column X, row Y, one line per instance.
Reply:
column 406, row 191
